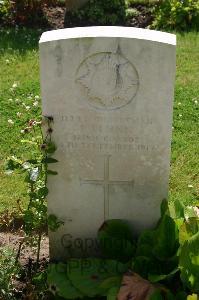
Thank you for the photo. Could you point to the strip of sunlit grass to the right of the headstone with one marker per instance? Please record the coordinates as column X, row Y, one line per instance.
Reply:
column 184, row 182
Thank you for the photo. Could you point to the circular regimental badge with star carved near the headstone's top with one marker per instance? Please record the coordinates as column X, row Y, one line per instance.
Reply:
column 108, row 80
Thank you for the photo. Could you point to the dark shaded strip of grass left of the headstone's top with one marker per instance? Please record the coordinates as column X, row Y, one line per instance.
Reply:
column 21, row 39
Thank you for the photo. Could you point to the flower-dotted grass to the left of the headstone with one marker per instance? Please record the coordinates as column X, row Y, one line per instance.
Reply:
column 18, row 66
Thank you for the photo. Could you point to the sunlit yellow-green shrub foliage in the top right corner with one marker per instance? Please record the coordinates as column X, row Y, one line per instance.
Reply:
column 177, row 14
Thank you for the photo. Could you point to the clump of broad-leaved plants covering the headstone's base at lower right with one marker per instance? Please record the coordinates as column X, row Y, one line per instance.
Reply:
column 161, row 264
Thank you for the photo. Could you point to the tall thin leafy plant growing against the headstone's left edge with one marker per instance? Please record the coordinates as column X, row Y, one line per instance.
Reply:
column 35, row 172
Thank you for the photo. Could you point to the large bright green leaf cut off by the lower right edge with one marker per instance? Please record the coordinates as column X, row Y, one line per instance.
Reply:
column 189, row 263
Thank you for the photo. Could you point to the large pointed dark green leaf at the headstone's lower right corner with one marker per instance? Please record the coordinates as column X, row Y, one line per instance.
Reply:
column 157, row 249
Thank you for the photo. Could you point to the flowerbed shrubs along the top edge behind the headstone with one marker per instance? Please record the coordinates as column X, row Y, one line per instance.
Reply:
column 167, row 14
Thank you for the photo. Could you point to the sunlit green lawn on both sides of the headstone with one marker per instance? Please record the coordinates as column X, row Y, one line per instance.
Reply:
column 19, row 101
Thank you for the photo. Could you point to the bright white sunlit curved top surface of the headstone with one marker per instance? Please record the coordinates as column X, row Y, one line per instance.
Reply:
column 109, row 31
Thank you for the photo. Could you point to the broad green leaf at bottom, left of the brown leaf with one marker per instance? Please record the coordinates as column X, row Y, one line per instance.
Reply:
column 87, row 275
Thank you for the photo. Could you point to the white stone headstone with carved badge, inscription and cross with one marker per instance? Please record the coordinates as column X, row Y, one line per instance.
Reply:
column 110, row 92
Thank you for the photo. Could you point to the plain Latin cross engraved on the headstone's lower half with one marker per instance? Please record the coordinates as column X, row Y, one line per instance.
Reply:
column 106, row 182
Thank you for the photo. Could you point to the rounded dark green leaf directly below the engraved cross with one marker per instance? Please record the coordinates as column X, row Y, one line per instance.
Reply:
column 116, row 240
